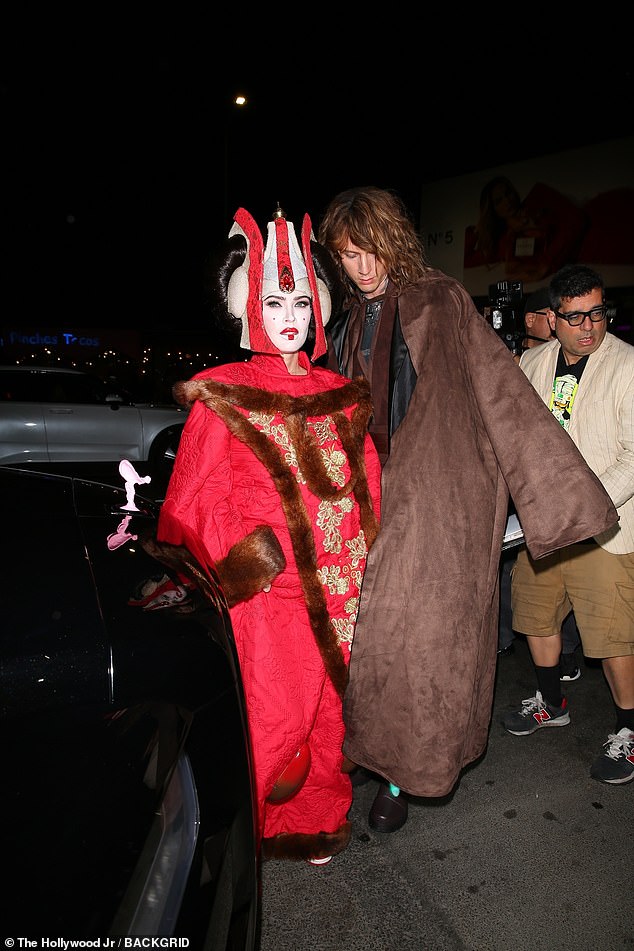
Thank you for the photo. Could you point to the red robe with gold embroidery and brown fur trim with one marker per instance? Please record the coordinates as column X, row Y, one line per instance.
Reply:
column 264, row 448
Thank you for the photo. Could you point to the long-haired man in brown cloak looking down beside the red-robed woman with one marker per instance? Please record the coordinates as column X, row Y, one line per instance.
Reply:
column 445, row 389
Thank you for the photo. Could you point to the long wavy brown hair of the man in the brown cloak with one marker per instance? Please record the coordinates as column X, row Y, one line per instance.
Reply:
column 375, row 220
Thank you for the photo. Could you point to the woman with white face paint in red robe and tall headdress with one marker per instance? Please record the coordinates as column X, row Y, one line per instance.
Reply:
column 275, row 471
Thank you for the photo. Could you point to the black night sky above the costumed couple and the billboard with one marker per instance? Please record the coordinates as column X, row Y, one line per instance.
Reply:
column 125, row 158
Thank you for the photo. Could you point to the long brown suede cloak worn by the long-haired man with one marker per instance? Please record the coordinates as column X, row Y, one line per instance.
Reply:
column 418, row 703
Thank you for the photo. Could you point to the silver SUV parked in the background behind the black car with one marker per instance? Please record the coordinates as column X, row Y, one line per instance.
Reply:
column 56, row 415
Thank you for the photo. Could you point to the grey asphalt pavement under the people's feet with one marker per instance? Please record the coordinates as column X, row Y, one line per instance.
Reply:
column 527, row 854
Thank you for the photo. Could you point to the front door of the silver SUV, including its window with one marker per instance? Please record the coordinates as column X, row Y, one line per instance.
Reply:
column 84, row 425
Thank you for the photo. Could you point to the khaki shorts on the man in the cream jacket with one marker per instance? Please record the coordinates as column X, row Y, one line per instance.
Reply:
column 596, row 585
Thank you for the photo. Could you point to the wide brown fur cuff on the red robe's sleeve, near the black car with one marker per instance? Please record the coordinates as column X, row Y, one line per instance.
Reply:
column 251, row 564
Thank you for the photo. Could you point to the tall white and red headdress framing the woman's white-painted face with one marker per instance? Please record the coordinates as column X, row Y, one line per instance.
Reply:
column 278, row 267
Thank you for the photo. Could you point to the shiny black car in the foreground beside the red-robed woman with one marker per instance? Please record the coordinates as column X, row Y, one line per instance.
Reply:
column 127, row 784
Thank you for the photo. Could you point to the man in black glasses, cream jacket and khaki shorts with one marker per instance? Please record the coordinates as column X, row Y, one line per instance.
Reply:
column 586, row 377
